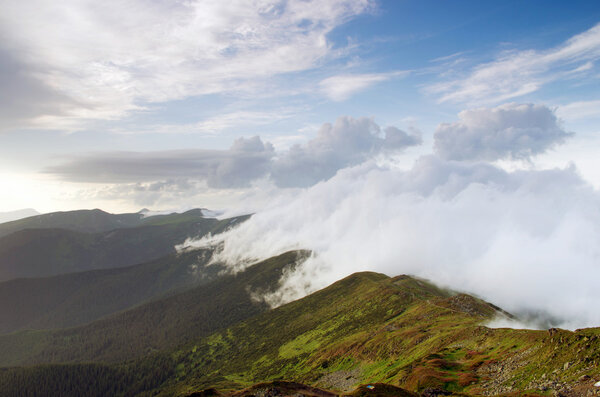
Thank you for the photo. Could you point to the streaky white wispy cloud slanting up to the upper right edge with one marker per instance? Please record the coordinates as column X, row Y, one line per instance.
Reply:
column 517, row 73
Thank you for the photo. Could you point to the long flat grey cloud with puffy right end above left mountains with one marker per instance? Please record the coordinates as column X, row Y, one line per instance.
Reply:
column 348, row 142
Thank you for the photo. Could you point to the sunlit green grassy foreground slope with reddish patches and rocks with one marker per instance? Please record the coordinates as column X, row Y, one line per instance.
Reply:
column 365, row 328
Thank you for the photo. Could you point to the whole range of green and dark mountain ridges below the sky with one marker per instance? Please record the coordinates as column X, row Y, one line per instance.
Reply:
column 110, row 308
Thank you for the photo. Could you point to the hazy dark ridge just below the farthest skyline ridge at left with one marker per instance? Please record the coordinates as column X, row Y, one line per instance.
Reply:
column 48, row 252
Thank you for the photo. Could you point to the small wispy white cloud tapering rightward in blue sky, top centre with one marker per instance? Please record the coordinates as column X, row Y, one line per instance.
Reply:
column 342, row 87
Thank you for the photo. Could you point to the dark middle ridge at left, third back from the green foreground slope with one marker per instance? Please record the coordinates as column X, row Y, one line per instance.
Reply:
column 74, row 299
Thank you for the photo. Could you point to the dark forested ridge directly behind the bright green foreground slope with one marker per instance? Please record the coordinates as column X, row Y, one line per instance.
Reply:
column 154, row 326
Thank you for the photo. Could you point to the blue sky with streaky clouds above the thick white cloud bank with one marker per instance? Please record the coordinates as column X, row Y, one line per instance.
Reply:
column 93, row 91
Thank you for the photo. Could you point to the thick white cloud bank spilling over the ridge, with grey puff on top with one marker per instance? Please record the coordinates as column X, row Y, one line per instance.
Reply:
column 526, row 240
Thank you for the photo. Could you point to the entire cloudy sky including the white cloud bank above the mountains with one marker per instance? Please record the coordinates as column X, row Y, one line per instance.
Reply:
column 452, row 140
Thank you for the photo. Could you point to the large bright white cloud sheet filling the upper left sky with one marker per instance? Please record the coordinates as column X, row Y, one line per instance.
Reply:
column 108, row 64
